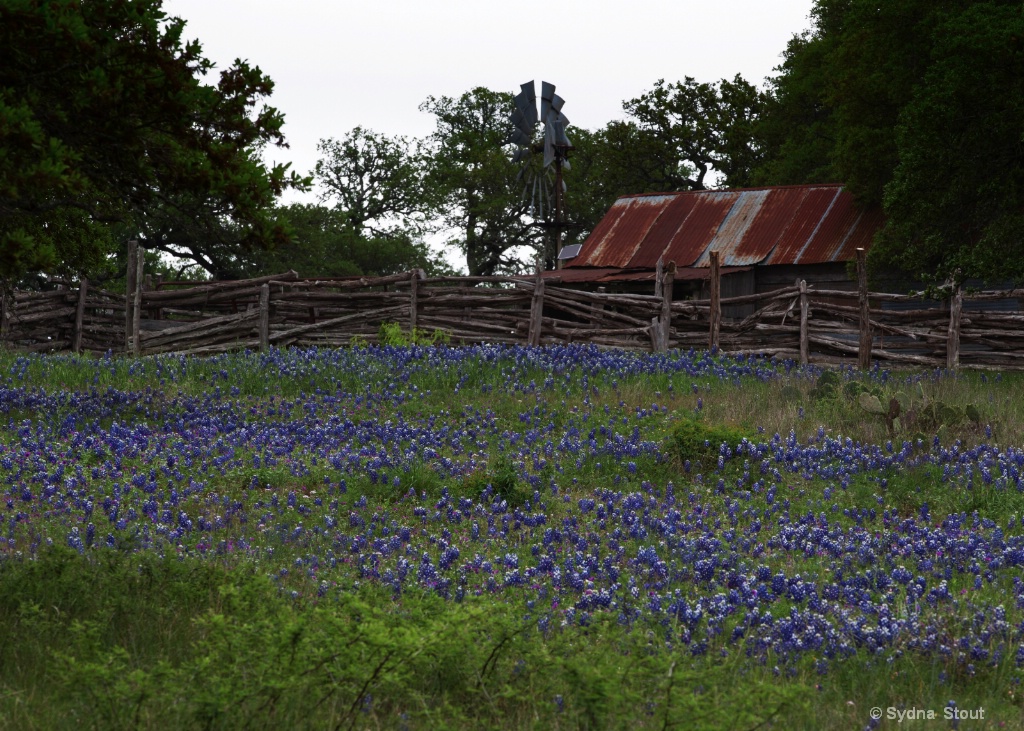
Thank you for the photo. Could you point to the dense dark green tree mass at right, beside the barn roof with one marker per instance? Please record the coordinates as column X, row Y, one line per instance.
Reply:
column 907, row 103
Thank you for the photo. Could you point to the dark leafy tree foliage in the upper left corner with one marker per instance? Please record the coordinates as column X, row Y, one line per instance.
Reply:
column 107, row 120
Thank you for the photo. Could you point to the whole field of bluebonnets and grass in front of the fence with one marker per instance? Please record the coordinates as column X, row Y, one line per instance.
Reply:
column 507, row 538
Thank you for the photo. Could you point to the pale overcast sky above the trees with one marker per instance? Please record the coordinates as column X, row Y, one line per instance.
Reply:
column 338, row 64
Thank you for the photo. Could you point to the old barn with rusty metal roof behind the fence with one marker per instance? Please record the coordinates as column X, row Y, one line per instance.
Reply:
column 766, row 239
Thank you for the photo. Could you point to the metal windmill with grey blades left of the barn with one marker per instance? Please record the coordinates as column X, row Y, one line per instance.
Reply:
column 544, row 190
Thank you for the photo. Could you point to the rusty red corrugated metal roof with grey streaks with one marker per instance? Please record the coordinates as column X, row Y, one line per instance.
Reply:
column 794, row 225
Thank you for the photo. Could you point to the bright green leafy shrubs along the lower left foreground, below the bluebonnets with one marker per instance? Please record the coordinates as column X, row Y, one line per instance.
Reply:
column 242, row 656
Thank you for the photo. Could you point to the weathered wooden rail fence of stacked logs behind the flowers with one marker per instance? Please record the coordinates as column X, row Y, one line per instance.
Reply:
column 799, row 322
